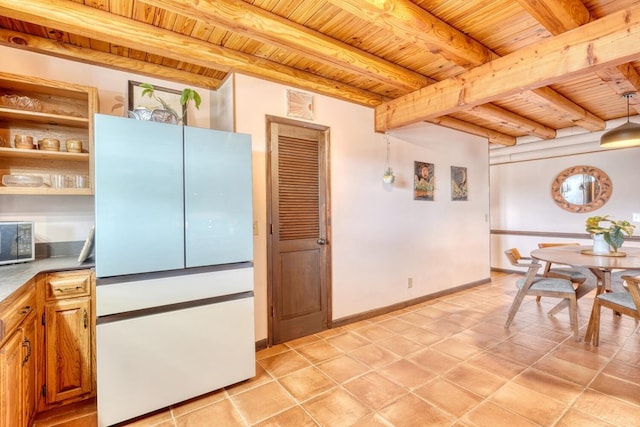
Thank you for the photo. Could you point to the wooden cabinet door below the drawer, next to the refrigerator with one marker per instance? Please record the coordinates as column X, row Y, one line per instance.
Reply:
column 68, row 348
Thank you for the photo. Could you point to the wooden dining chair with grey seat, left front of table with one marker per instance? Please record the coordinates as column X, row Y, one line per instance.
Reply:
column 531, row 284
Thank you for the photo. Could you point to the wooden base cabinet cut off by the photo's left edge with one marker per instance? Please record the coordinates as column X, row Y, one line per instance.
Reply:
column 18, row 350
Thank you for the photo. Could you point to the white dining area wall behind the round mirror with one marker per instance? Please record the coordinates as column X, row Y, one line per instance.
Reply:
column 521, row 193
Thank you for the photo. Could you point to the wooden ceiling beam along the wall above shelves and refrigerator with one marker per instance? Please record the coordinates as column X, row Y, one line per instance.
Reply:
column 68, row 51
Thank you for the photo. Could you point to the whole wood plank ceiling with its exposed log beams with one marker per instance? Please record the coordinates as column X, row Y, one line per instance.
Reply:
column 500, row 69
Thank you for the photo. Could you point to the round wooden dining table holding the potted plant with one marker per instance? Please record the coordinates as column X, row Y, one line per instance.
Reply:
column 627, row 258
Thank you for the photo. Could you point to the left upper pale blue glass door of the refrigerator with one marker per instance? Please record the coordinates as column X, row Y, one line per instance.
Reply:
column 139, row 196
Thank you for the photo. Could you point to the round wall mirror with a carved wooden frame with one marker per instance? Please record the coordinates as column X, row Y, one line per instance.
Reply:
column 581, row 189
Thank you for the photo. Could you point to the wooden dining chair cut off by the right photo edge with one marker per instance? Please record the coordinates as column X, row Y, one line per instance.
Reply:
column 625, row 302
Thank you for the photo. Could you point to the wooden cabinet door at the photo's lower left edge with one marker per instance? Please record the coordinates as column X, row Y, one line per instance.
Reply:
column 11, row 384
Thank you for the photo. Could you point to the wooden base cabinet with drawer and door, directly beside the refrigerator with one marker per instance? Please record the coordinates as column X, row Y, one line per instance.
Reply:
column 68, row 325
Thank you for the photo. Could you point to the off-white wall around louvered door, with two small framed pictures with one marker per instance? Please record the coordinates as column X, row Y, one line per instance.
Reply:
column 381, row 236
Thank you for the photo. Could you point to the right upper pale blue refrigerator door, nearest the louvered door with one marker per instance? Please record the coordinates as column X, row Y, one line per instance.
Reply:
column 218, row 196
